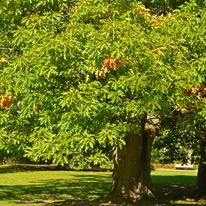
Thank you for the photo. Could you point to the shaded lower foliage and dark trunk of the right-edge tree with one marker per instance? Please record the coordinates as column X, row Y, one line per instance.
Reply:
column 185, row 134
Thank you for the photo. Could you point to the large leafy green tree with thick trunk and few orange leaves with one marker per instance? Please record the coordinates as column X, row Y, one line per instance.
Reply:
column 90, row 73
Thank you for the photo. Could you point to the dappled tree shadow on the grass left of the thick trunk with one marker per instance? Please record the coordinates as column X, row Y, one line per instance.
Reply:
column 80, row 190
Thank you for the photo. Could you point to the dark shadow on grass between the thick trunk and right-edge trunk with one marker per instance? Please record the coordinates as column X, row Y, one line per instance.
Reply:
column 176, row 190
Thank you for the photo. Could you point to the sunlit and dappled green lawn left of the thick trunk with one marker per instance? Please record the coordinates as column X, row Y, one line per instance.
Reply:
column 51, row 187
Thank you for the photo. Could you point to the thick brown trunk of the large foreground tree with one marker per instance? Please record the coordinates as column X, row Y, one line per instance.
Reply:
column 131, row 176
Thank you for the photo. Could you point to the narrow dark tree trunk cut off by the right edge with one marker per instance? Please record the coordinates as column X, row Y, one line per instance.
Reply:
column 201, row 177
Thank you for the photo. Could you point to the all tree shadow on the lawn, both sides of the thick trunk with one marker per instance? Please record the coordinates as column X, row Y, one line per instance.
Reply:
column 83, row 190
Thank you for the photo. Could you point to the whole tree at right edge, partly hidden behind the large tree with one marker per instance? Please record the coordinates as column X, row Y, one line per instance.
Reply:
column 186, row 128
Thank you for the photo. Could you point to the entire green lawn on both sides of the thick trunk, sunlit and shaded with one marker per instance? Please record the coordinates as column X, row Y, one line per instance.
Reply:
column 61, row 188
